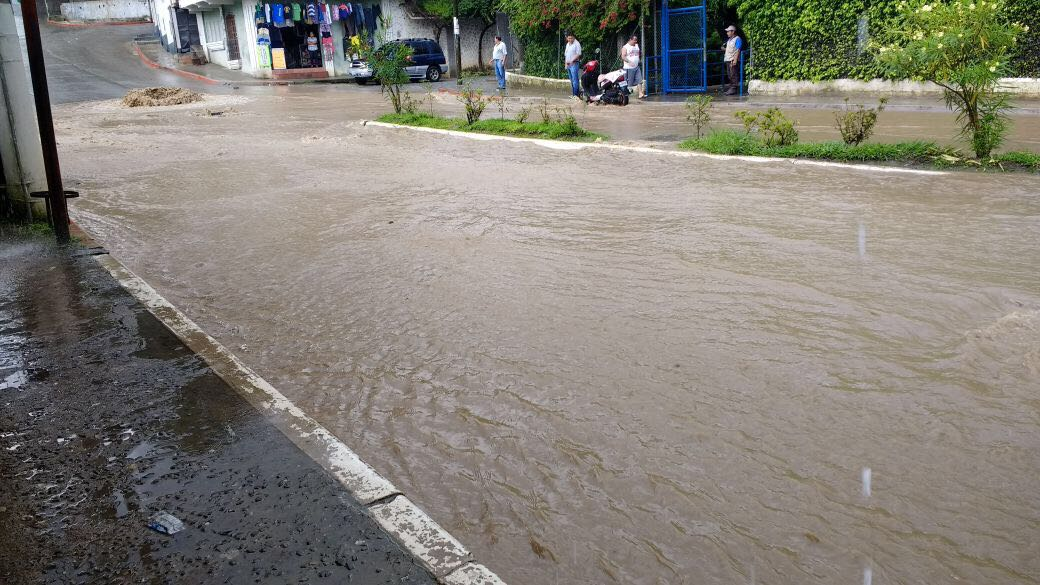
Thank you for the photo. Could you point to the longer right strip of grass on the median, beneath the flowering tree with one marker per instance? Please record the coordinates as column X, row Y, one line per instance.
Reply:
column 911, row 154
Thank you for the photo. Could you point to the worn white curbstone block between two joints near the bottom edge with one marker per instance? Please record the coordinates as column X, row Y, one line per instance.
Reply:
column 440, row 552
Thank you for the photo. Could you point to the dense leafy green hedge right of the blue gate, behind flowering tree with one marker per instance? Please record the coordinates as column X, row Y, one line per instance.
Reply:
column 815, row 40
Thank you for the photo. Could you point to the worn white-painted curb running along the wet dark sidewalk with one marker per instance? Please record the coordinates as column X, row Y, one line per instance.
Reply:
column 443, row 554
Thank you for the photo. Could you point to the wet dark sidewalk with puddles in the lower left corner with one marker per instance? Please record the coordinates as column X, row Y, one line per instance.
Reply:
column 109, row 419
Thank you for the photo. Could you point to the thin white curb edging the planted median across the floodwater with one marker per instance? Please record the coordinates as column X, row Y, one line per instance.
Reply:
column 561, row 145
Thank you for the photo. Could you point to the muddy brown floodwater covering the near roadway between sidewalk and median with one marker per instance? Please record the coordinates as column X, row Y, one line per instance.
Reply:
column 603, row 367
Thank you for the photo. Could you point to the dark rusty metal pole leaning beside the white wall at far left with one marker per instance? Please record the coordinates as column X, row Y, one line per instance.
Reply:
column 38, row 71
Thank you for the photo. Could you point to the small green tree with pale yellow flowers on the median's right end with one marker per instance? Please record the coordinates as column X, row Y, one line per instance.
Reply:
column 963, row 46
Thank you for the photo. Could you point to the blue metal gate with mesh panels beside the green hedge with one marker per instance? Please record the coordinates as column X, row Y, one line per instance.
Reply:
column 685, row 68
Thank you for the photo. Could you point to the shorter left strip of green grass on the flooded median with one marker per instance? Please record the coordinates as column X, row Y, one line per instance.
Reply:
column 554, row 131
